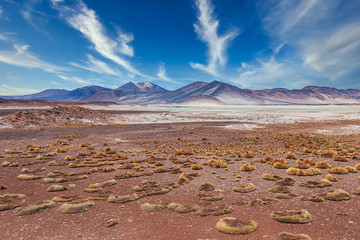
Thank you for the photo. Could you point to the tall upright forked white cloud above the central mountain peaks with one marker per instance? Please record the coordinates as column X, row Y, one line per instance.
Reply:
column 207, row 30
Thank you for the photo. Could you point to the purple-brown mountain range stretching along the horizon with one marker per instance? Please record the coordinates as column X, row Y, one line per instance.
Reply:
column 199, row 93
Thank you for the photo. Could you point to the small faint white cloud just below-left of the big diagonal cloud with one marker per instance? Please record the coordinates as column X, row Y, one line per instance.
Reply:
column 95, row 65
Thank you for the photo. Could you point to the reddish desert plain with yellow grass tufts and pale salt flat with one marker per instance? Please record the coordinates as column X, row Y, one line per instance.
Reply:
column 129, row 172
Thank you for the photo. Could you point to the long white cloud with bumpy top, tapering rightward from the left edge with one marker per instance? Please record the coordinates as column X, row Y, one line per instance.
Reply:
column 23, row 58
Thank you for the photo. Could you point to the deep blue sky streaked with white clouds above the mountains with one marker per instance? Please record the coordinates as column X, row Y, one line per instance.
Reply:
column 251, row 44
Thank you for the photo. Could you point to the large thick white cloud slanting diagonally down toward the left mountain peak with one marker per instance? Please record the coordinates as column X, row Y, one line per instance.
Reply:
column 86, row 21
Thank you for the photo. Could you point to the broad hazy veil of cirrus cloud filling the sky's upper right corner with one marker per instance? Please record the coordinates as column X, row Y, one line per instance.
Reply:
column 325, row 37
